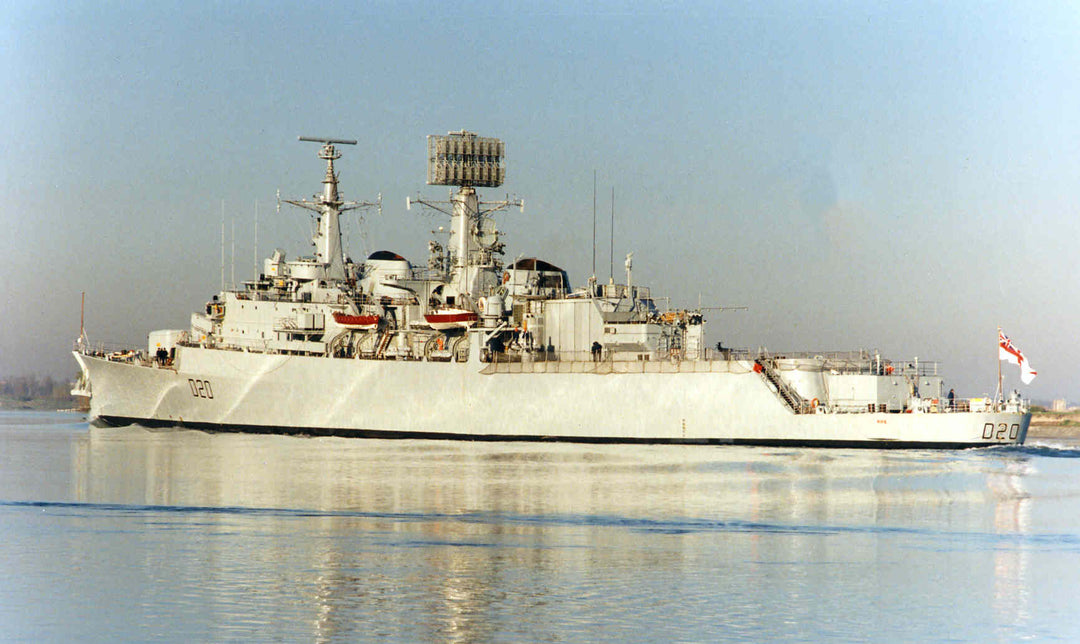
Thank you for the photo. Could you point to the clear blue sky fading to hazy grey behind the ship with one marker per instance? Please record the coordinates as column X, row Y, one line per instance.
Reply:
column 898, row 178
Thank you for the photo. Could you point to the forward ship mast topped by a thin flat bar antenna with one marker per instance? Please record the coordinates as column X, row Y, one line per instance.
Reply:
column 330, row 207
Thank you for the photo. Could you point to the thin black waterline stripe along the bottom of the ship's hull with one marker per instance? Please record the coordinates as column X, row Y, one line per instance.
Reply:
column 383, row 434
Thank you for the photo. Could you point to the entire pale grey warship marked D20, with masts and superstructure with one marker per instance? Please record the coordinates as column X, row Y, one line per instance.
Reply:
column 466, row 346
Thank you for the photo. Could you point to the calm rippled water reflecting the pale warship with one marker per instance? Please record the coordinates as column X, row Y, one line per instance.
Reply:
column 133, row 535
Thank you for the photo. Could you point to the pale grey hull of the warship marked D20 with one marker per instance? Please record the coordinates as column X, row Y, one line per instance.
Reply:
column 238, row 392
